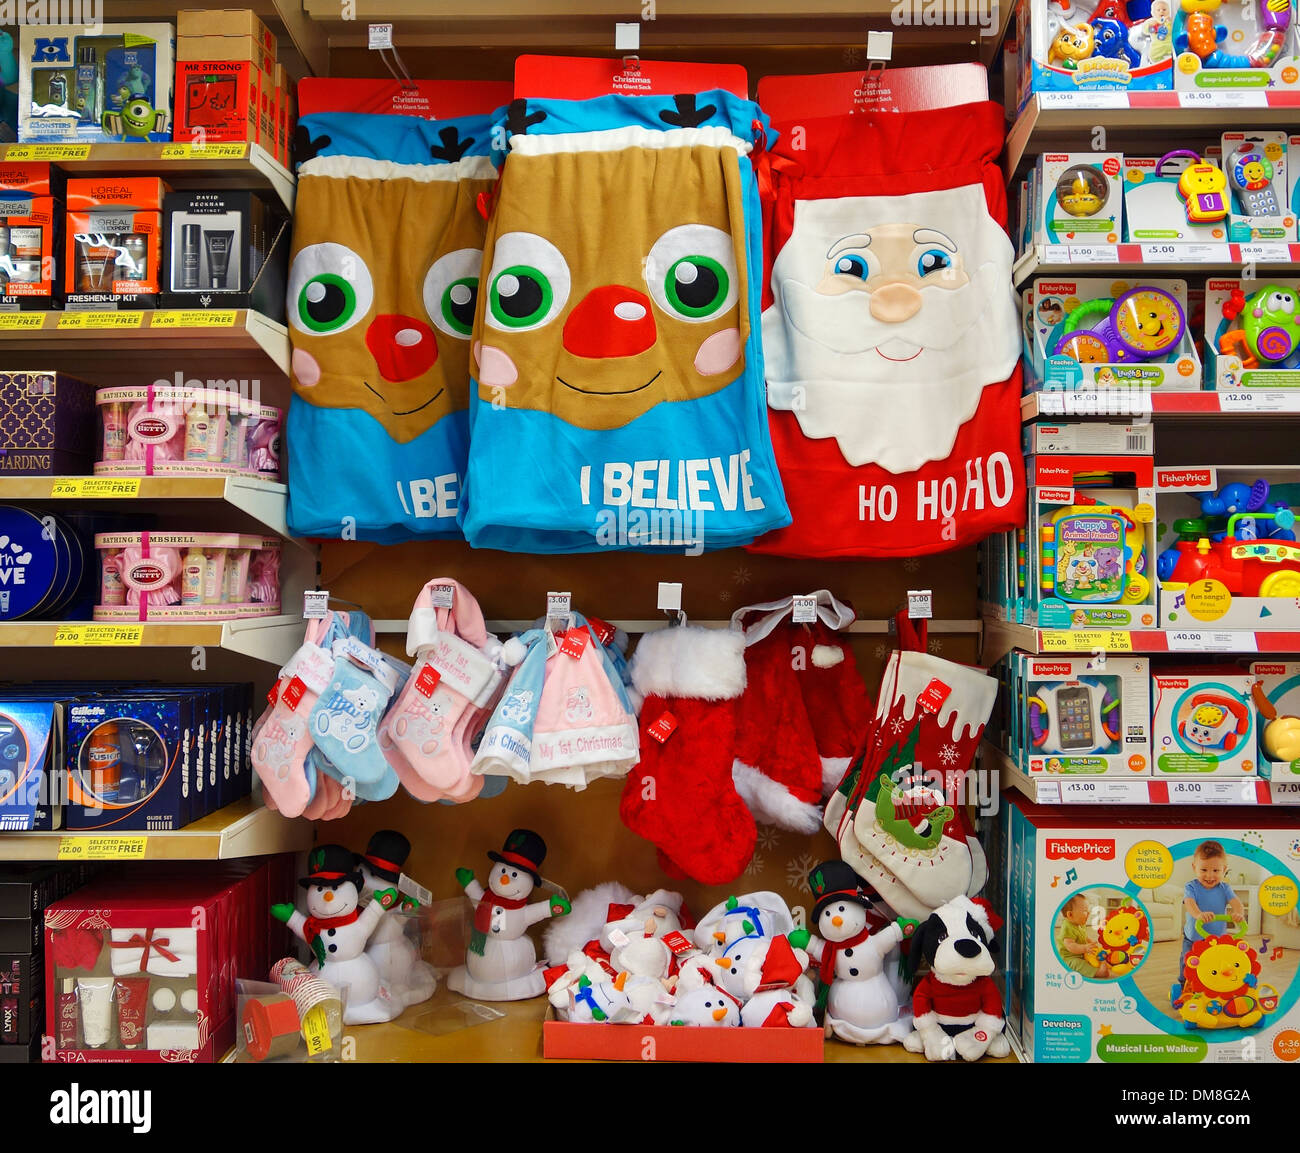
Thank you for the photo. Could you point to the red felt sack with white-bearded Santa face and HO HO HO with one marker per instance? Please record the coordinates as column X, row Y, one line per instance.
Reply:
column 891, row 335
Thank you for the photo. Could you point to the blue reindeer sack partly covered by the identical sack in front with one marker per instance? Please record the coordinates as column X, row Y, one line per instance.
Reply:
column 383, row 284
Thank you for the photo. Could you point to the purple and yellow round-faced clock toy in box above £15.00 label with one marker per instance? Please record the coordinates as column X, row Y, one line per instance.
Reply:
column 1143, row 324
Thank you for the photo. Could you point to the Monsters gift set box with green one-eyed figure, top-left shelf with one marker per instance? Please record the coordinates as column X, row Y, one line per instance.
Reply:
column 96, row 83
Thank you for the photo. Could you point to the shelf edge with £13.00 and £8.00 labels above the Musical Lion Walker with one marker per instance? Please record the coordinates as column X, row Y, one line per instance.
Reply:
column 1050, row 790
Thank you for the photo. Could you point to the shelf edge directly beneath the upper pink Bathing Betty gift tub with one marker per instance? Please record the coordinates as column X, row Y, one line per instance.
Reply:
column 262, row 501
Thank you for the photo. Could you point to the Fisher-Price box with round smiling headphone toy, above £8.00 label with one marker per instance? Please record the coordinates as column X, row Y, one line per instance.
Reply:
column 1203, row 723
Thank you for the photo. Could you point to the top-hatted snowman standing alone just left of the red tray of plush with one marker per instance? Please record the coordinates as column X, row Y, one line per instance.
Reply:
column 501, row 963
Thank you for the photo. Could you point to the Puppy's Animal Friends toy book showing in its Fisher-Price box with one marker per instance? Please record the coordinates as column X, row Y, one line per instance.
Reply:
column 1094, row 554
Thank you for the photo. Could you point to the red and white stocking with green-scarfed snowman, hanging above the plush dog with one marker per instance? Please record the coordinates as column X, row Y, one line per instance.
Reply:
column 899, row 816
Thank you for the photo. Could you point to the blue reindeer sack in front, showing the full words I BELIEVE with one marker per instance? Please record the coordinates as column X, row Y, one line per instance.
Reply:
column 618, row 374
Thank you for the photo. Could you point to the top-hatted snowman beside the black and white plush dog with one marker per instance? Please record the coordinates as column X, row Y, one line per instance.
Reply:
column 852, row 946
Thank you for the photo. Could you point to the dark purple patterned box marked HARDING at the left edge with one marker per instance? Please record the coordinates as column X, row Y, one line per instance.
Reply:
column 49, row 427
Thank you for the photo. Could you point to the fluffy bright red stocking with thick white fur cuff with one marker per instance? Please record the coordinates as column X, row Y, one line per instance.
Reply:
column 681, row 797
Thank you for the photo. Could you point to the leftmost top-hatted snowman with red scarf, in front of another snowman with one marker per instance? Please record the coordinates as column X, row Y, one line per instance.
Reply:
column 339, row 931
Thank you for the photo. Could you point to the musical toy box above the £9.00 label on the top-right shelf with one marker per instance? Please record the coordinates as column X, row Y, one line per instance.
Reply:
column 1113, row 46
